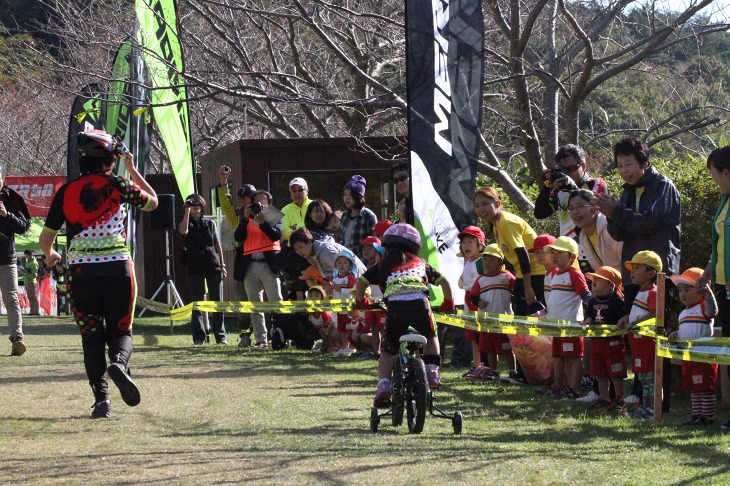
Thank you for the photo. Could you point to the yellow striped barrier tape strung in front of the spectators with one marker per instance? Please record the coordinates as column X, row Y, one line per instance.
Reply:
column 706, row 350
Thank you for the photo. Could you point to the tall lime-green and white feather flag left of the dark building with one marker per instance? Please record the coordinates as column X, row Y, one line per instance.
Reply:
column 159, row 40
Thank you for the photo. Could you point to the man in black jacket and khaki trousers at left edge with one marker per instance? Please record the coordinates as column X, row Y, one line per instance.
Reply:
column 14, row 219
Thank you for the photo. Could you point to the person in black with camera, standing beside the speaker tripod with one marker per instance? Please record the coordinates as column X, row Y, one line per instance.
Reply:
column 206, row 266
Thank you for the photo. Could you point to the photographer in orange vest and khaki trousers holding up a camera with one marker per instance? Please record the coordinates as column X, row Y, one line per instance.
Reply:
column 260, row 240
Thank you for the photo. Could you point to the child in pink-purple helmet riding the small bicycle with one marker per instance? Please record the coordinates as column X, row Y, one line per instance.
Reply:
column 404, row 278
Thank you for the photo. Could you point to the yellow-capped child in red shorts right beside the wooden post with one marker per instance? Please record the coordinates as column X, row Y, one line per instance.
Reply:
column 644, row 267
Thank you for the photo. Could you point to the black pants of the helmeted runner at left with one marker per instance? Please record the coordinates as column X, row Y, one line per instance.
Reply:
column 103, row 306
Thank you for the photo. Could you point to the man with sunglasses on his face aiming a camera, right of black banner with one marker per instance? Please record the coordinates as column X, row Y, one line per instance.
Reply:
column 568, row 174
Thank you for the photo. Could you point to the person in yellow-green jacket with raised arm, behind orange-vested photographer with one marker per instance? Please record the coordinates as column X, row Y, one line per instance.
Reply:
column 234, row 215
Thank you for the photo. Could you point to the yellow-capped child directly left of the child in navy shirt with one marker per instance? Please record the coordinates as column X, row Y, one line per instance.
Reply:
column 568, row 291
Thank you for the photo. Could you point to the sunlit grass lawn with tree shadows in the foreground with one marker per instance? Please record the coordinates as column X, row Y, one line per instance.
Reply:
column 216, row 414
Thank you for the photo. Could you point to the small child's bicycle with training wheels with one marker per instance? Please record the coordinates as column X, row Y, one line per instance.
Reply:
column 411, row 392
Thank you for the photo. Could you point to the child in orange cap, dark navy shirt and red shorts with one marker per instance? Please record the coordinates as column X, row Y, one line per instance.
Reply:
column 608, row 360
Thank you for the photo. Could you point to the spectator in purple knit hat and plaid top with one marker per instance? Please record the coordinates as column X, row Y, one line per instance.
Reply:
column 357, row 221
